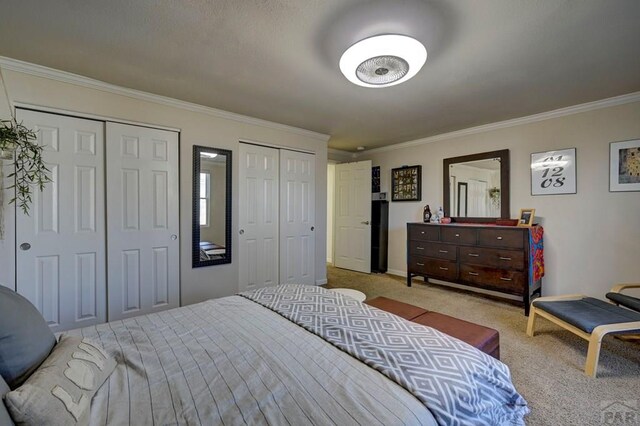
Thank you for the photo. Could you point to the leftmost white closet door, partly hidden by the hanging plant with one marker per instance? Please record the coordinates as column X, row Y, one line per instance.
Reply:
column 61, row 244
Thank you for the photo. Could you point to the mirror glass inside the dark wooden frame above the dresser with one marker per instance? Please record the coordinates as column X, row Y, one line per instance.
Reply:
column 474, row 188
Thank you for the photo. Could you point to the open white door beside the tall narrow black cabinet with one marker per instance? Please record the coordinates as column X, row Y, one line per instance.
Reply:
column 352, row 235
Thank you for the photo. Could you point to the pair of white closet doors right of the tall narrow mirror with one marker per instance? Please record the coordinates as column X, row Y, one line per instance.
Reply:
column 277, row 213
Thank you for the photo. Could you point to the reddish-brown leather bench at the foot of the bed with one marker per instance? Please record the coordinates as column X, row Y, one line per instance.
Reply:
column 484, row 338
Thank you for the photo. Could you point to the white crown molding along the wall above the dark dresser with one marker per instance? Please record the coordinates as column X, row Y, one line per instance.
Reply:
column 576, row 109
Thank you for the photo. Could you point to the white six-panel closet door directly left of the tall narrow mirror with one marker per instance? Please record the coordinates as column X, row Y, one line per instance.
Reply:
column 142, row 214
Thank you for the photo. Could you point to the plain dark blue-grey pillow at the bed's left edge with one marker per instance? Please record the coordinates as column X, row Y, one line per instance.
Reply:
column 25, row 338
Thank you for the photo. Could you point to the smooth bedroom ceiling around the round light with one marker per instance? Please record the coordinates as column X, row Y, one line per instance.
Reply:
column 277, row 60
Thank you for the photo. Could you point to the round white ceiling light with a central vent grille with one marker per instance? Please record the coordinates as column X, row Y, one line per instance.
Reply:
column 382, row 61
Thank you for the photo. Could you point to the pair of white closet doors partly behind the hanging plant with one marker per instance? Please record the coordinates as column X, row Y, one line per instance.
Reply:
column 62, row 246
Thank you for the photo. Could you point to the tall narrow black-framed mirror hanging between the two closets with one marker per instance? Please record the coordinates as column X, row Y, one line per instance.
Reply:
column 211, row 214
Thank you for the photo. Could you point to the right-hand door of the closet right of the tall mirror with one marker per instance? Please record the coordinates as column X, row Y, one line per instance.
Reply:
column 297, row 217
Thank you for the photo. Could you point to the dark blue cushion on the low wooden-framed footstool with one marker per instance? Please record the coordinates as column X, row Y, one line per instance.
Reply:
column 587, row 313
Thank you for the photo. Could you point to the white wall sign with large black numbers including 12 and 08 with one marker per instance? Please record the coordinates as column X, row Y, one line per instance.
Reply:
column 553, row 172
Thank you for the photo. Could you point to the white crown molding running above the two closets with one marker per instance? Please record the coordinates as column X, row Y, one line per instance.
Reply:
column 78, row 80
